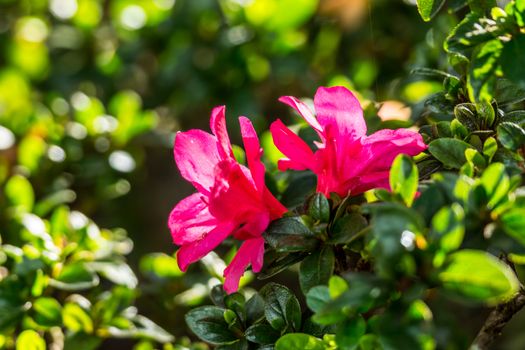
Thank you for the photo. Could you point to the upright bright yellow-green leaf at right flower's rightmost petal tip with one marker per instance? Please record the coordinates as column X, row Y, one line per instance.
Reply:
column 404, row 178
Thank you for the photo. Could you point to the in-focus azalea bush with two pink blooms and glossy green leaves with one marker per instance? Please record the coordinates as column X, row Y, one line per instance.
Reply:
column 398, row 225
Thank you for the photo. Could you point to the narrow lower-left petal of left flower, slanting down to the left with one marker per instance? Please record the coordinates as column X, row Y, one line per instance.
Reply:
column 192, row 252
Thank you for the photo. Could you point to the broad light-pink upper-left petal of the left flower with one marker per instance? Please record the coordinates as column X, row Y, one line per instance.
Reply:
column 196, row 156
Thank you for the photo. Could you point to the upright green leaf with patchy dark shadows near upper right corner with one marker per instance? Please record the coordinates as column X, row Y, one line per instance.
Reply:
column 481, row 78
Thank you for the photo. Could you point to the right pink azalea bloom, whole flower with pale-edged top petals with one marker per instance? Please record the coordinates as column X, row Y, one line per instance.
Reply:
column 346, row 161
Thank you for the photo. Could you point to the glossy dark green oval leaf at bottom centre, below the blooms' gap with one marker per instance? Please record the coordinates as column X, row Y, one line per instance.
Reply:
column 282, row 309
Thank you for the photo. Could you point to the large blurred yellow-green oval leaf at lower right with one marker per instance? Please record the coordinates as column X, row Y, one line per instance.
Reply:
column 478, row 276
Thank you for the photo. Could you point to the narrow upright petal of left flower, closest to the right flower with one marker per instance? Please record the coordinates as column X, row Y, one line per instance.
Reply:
column 253, row 152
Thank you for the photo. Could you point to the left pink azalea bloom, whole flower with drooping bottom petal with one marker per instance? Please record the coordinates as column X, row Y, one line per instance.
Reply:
column 231, row 199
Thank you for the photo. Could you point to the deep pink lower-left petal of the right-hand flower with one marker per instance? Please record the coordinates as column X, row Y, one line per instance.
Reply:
column 300, row 156
